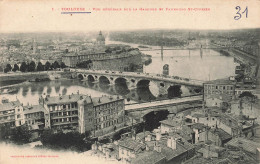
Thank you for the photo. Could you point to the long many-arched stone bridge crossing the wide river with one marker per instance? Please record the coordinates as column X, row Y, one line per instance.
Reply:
column 134, row 79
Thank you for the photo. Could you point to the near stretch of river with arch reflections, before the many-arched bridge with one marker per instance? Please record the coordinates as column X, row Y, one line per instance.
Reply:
column 31, row 92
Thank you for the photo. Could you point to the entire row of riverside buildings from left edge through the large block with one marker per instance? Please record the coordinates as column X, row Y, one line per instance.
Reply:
column 98, row 115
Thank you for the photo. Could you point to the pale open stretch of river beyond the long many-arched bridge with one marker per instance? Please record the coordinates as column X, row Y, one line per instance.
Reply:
column 208, row 65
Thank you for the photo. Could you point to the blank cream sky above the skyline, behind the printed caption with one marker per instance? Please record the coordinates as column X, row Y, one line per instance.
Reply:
column 45, row 16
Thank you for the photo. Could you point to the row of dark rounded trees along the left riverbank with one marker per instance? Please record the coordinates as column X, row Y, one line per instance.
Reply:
column 31, row 67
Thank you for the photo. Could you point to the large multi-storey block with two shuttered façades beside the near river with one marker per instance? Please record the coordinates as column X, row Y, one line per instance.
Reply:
column 99, row 115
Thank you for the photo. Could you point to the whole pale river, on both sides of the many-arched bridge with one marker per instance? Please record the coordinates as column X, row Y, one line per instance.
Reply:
column 208, row 66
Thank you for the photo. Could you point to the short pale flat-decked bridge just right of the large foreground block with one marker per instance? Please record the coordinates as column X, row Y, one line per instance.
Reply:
column 139, row 110
